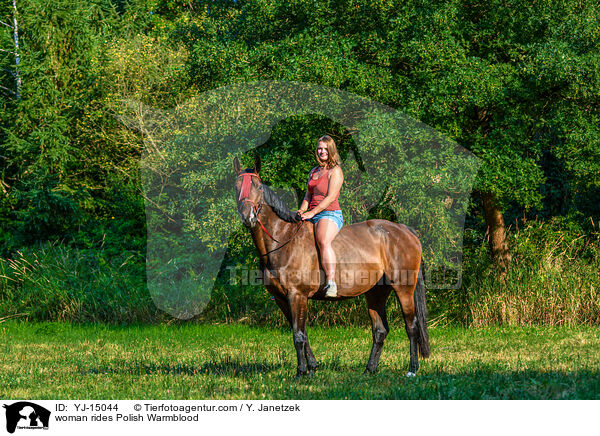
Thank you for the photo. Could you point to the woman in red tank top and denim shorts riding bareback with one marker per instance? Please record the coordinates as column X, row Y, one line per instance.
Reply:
column 321, row 207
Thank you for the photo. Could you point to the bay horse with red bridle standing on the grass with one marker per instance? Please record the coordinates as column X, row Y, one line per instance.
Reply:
column 374, row 258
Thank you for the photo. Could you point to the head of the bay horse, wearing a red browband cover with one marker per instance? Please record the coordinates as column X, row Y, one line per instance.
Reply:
column 249, row 192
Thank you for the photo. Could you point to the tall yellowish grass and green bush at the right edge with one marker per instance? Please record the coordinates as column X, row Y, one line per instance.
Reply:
column 553, row 278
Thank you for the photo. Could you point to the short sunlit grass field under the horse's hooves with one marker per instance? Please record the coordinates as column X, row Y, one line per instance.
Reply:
column 63, row 361
